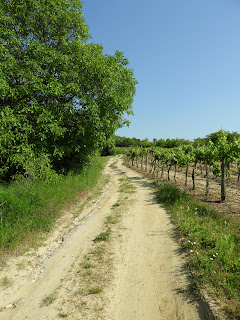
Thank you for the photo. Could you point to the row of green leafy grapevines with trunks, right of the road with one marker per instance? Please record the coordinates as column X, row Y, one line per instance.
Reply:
column 216, row 156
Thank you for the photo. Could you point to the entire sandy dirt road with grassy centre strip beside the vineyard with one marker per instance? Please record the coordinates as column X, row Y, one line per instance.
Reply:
column 119, row 259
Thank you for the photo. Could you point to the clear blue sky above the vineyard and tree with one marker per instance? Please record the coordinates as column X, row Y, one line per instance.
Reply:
column 186, row 57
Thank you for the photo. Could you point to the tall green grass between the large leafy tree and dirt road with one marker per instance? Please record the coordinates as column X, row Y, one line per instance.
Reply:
column 30, row 206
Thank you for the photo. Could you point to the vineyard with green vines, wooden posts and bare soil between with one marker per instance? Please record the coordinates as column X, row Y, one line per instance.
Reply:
column 210, row 172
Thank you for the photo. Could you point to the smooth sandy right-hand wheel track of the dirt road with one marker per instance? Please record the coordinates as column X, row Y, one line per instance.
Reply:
column 151, row 280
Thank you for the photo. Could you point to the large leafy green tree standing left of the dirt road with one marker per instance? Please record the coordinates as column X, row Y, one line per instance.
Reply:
column 61, row 98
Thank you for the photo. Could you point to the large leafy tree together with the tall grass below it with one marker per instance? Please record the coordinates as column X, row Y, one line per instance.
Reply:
column 61, row 100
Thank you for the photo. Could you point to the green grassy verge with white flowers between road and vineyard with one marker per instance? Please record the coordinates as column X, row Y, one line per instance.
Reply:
column 213, row 242
